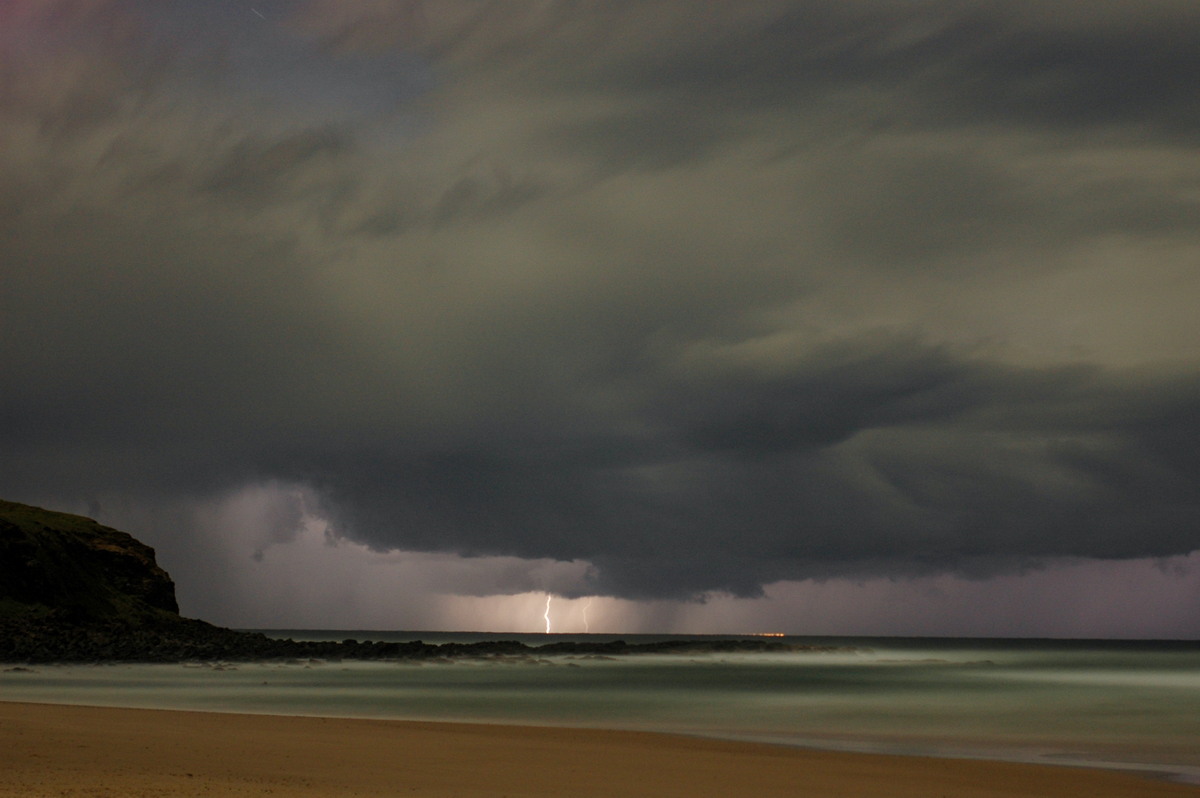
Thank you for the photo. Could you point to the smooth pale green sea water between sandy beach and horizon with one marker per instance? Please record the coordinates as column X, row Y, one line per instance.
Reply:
column 1132, row 705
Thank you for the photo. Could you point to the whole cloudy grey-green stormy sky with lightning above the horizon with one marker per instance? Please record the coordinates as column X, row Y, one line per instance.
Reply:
column 733, row 316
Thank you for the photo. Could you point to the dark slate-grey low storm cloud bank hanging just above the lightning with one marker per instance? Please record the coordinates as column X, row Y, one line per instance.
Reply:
column 866, row 459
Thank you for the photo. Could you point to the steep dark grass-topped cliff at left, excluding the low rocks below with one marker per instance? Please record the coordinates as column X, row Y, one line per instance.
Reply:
column 73, row 568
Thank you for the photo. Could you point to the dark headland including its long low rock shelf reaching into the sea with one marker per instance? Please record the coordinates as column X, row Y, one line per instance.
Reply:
column 75, row 591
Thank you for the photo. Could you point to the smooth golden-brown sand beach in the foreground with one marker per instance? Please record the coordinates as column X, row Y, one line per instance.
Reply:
column 58, row 751
